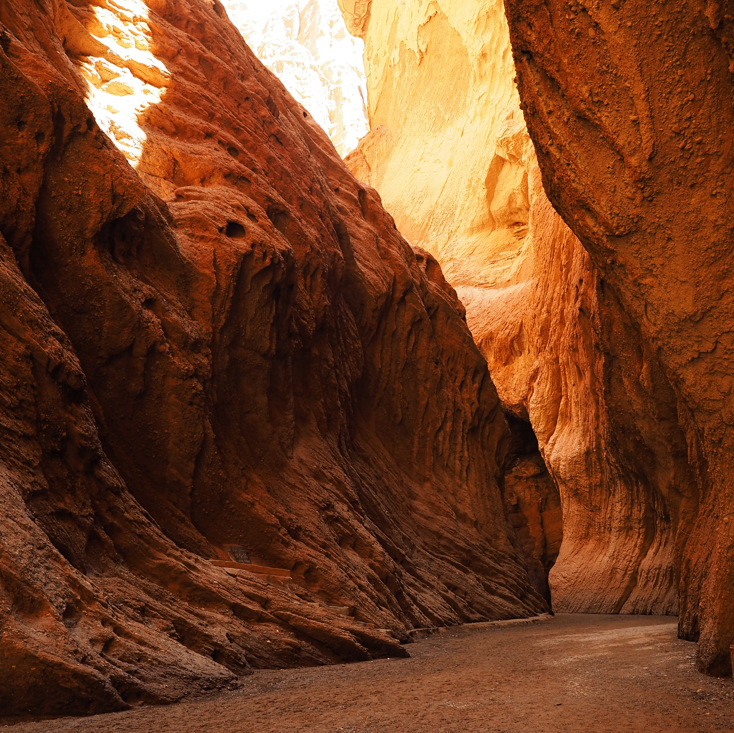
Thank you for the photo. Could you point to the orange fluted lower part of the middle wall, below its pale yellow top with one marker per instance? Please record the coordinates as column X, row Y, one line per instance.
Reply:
column 562, row 350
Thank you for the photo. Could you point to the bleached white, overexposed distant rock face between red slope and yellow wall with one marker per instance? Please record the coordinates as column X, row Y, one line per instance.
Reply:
column 307, row 45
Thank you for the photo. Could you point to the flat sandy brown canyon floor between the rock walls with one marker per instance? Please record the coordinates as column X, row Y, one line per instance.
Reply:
column 570, row 674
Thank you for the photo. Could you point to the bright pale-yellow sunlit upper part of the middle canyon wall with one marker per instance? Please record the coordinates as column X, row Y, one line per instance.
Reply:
column 441, row 98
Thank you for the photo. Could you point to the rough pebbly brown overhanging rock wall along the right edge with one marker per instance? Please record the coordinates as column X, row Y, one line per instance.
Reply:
column 630, row 106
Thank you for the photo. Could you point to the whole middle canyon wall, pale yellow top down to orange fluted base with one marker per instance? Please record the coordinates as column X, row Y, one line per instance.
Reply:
column 451, row 157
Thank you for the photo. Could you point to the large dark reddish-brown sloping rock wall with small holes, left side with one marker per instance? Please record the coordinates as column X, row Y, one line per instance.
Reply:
column 228, row 355
